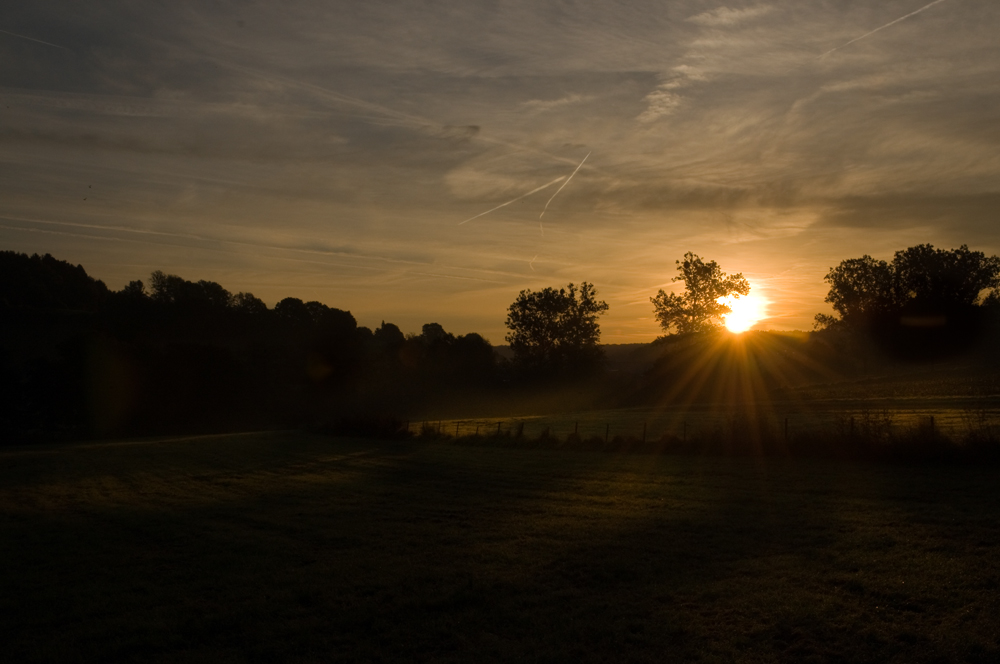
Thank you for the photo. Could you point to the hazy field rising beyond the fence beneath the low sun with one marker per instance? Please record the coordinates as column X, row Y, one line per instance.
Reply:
column 956, row 397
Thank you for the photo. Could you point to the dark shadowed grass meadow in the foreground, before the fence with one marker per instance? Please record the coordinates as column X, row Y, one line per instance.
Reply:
column 290, row 547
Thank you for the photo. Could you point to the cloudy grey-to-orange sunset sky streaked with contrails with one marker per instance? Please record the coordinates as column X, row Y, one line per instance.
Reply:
column 345, row 151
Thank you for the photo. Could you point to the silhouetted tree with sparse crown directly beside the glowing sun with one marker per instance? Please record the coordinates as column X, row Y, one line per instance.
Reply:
column 699, row 309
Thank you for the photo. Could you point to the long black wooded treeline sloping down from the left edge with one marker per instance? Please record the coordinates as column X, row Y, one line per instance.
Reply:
column 79, row 360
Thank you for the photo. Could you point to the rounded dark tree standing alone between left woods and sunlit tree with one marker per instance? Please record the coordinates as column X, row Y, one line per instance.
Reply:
column 556, row 331
